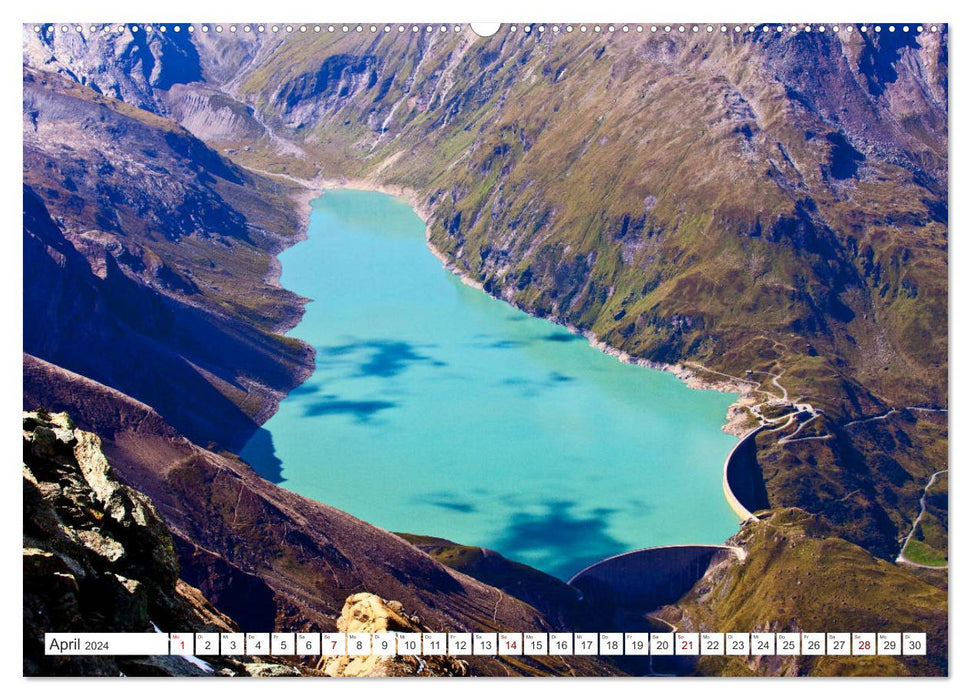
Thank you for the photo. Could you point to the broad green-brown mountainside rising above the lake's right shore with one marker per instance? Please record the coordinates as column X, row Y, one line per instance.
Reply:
column 672, row 196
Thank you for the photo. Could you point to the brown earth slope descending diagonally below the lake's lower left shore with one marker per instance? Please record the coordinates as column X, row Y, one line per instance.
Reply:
column 271, row 559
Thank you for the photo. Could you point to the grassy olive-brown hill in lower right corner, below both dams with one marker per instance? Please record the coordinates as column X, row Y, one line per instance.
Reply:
column 799, row 577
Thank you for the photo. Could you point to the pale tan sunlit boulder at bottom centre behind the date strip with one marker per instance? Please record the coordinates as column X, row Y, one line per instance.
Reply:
column 366, row 612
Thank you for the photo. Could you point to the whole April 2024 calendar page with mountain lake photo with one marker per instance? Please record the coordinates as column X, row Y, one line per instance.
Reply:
column 440, row 348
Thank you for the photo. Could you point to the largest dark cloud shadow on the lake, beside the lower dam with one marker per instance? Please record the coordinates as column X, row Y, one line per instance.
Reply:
column 559, row 541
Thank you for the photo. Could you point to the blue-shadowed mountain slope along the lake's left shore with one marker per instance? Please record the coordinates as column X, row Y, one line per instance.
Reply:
column 149, row 264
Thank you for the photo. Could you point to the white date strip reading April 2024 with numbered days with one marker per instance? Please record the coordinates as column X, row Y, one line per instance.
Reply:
column 488, row 644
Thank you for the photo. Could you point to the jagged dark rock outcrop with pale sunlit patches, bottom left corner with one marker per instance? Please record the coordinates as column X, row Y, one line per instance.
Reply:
column 97, row 557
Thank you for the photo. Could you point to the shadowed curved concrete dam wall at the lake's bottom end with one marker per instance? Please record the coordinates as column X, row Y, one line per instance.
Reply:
column 649, row 578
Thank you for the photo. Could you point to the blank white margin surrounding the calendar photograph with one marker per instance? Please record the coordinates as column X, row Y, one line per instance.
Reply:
column 509, row 11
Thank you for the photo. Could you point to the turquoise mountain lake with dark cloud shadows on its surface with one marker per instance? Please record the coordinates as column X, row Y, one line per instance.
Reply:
column 436, row 409
